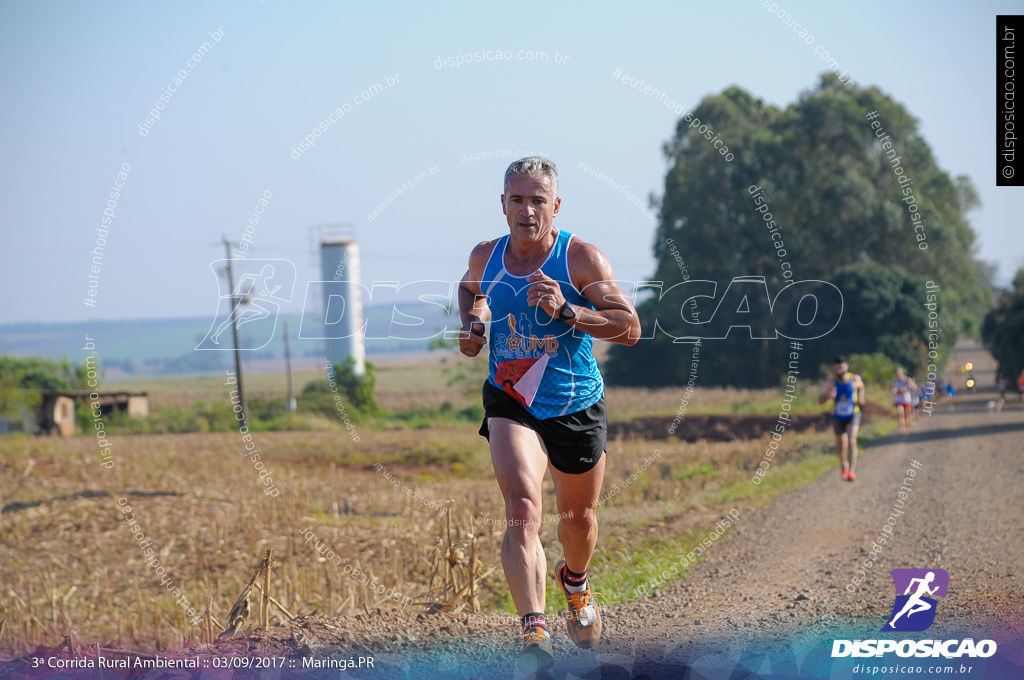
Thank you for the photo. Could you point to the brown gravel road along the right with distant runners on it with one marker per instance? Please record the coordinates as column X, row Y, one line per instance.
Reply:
column 783, row 581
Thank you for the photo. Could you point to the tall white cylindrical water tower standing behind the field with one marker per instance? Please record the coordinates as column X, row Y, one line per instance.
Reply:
column 343, row 294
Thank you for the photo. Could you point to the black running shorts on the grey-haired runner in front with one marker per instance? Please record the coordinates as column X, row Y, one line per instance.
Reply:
column 575, row 442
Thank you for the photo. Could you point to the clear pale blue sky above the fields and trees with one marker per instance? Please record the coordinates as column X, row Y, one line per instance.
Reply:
column 79, row 78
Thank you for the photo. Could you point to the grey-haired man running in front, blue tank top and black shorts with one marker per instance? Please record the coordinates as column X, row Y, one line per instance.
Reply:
column 547, row 295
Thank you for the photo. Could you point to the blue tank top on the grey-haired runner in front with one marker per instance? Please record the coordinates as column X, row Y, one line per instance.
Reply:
column 535, row 359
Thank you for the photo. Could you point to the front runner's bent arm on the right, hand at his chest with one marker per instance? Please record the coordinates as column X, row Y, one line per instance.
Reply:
column 614, row 318
